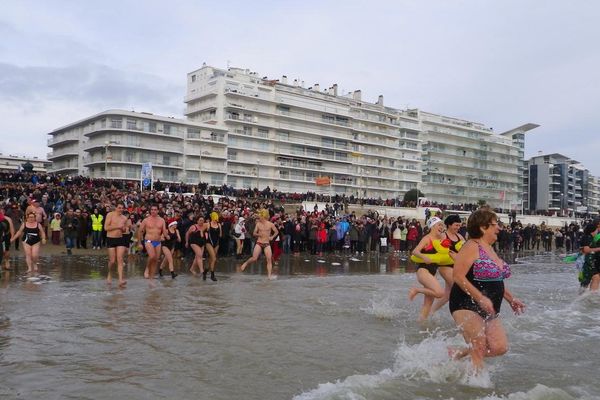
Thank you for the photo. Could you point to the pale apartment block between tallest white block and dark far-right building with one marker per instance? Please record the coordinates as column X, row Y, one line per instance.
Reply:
column 465, row 162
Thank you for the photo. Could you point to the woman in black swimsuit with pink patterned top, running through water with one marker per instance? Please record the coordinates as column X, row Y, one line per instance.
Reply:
column 478, row 291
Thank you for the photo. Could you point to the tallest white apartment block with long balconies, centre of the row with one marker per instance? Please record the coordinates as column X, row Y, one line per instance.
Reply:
column 286, row 136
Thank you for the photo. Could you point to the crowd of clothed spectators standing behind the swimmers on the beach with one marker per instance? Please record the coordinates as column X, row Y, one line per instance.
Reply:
column 73, row 208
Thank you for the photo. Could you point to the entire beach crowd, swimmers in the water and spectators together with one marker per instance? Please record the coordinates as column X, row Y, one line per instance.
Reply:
column 83, row 212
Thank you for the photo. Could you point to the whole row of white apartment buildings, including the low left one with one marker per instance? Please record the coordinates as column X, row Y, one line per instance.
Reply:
column 247, row 131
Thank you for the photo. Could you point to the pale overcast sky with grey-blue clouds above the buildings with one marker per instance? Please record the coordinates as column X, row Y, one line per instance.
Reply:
column 502, row 63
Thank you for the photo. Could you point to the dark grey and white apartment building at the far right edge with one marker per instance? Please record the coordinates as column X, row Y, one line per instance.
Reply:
column 559, row 185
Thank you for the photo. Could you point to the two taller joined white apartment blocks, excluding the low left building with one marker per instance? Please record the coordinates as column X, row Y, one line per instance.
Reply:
column 287, row 136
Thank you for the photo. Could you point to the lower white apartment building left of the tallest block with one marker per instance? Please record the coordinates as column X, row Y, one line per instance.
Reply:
column 115, row 143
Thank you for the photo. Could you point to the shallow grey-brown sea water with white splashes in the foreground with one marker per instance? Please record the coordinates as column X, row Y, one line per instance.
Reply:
column 340, row 329
